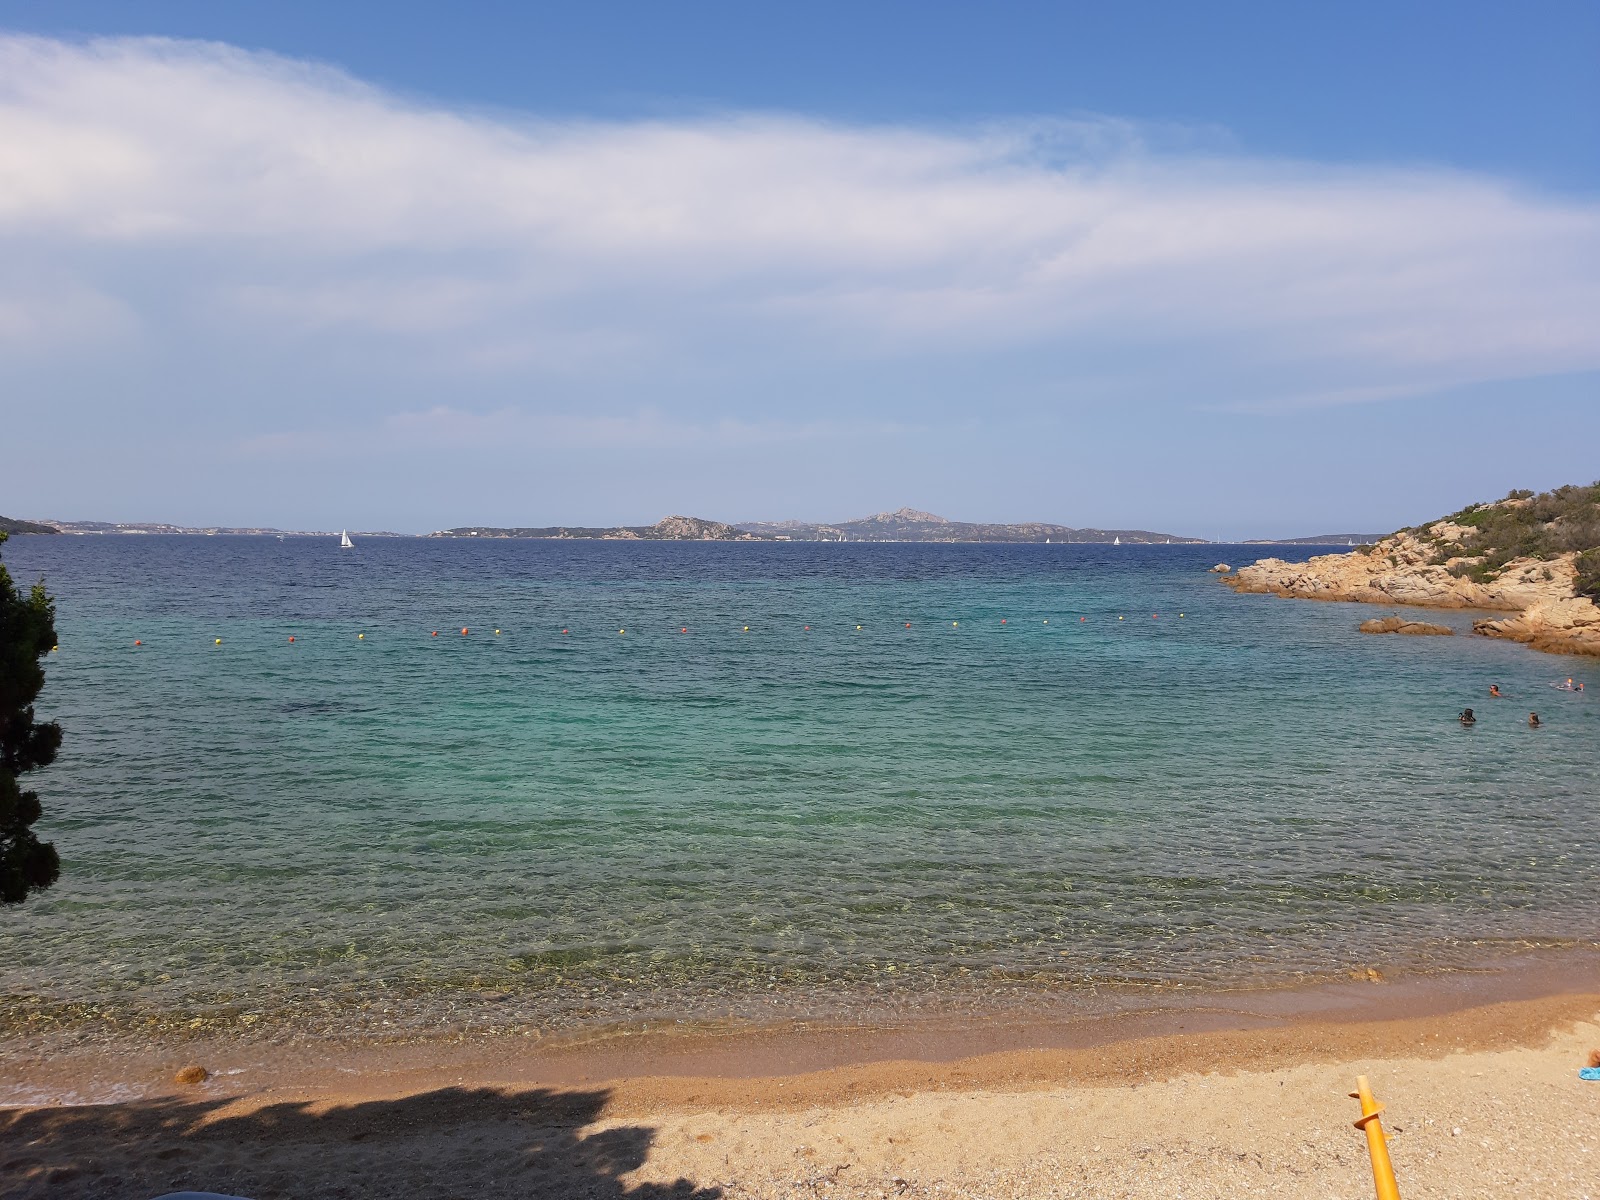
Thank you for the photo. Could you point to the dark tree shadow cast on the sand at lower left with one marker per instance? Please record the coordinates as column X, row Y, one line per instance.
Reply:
column 449, row 1143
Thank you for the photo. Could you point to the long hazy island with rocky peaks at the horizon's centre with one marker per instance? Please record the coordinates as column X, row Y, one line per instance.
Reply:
column 905, row 526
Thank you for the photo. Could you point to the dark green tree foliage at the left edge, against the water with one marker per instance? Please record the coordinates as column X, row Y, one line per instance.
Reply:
column 28, row 633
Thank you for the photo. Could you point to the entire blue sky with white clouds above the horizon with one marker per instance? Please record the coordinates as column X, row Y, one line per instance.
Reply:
column 1226, row 271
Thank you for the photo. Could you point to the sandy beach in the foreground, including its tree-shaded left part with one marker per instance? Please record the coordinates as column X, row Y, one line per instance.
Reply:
column 1482, row 1102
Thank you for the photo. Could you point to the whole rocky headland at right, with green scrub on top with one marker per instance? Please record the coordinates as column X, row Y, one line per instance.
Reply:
column 1534, row 558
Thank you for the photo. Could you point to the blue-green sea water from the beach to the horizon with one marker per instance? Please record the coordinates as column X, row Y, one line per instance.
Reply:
column 599, row 825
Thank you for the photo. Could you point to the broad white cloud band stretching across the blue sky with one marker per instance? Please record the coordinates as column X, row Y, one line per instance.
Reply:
column 225, row 194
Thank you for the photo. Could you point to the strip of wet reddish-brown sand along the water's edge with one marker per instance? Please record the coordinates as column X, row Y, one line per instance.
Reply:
column 1551, row 985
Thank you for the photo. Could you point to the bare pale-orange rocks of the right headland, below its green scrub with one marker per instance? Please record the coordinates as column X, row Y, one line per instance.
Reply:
column 1417, row 569
